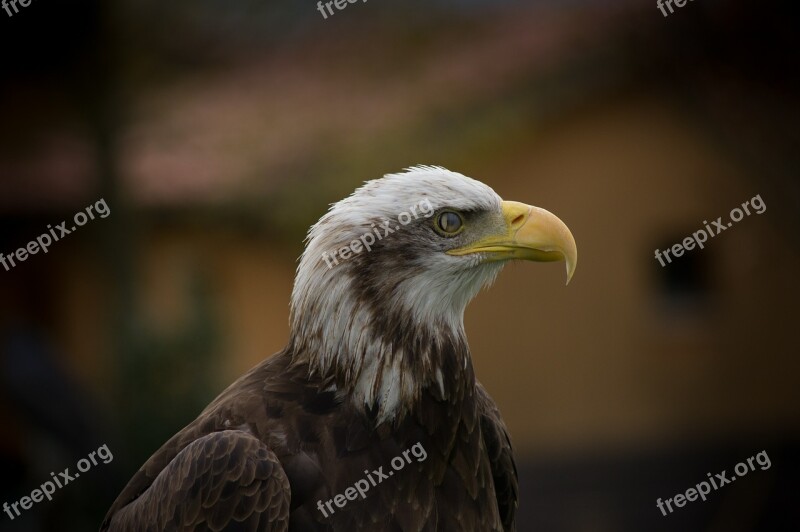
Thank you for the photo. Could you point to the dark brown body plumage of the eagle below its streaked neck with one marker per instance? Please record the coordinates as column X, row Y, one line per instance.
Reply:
column 273, row 444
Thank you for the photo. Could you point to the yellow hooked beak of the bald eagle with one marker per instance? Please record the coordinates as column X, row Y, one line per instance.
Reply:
column 530, row 233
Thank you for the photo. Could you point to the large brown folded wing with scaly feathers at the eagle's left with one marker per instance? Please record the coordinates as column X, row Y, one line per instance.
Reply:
column 217, row 481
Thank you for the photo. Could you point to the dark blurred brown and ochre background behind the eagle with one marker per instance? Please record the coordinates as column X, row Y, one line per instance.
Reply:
column 218, row 132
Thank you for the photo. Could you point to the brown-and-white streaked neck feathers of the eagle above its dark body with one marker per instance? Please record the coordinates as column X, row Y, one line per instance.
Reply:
column 381, row 359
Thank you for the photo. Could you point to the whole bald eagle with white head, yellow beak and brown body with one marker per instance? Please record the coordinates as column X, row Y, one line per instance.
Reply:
column 371, row 418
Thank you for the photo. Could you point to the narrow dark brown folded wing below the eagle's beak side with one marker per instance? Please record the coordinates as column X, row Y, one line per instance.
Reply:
column 501, row 459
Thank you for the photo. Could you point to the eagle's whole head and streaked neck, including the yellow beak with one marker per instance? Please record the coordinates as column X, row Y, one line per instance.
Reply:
column 378, row 302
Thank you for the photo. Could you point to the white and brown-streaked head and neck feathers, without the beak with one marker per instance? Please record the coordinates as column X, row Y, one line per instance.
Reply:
column 333, row 301
